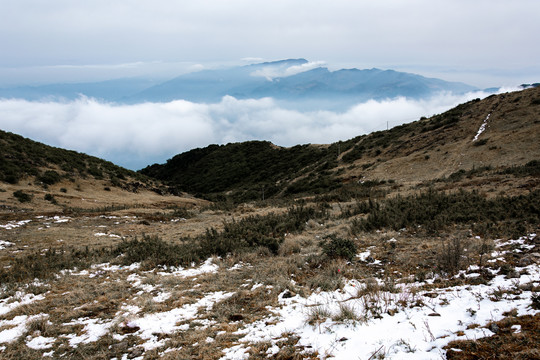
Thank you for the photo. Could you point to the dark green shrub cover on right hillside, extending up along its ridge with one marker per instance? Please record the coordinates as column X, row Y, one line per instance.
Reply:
column 259, row 170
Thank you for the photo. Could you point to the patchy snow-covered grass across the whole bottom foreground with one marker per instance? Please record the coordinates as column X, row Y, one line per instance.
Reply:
column 358, row 321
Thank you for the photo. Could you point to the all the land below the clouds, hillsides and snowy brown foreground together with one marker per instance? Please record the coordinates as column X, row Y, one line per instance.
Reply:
column 428, row 229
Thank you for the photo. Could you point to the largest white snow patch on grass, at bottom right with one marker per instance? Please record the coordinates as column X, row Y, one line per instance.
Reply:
column 419, row 329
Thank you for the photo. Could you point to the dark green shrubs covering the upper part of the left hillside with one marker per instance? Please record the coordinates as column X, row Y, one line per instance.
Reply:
column 21, row 157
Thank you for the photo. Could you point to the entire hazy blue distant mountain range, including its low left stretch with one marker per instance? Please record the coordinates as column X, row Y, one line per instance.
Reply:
column 293, row 81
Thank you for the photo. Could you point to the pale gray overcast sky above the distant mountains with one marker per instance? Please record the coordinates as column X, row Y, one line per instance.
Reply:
column 481, row 42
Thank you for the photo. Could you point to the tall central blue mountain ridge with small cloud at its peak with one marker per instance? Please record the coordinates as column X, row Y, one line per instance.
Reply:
column 347, row 86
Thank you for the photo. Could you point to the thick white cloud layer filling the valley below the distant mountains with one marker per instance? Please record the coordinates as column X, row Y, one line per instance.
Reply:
column 138, row 135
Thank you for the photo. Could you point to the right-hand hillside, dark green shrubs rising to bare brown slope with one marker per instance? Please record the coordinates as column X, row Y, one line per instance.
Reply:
column 431, row 149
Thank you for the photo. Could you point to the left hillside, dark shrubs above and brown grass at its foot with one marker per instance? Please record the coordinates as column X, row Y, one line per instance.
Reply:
column 44, row 178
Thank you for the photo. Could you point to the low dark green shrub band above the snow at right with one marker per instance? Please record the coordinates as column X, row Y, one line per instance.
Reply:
column 436, row 210
